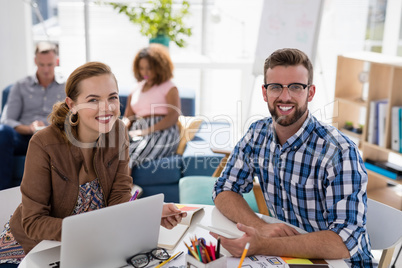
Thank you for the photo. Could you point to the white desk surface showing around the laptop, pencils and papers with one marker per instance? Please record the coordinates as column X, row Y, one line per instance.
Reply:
column 209, row 216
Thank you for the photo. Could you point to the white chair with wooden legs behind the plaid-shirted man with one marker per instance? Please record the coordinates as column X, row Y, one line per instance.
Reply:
column 384, row 228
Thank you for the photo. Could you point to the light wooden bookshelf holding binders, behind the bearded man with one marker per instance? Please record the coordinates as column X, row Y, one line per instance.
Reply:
column 361, row 78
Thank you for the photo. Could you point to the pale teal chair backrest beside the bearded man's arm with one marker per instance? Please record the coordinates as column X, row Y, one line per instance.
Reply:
column 198, row 190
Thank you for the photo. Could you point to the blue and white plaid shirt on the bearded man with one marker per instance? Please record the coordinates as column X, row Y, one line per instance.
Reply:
column 316, row 180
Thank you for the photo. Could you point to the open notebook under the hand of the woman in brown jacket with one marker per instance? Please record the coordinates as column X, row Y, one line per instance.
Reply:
column 168, row 239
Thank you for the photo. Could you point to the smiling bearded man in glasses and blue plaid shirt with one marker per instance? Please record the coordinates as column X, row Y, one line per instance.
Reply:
column 311, row 175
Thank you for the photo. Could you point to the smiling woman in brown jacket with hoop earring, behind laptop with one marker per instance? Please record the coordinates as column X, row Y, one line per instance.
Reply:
column 78, row 164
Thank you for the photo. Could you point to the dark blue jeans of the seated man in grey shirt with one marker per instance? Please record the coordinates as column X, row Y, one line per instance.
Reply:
column 11, row 143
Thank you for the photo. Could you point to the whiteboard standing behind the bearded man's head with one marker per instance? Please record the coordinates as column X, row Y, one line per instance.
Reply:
column 287, row 24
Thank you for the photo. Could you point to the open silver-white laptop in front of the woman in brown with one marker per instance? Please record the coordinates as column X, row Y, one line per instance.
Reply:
column 106, row 237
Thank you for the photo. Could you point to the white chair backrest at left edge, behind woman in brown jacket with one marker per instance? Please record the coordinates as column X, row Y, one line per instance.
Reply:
column 9, row 200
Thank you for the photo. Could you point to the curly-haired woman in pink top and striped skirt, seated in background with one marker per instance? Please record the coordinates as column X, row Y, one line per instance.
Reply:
column 153, row 108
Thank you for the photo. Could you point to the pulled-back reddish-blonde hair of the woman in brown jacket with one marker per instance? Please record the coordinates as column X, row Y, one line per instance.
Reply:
column 61, row 112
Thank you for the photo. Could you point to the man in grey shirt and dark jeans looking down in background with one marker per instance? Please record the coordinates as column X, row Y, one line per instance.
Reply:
column 29, row 103
